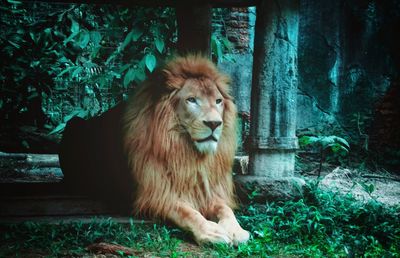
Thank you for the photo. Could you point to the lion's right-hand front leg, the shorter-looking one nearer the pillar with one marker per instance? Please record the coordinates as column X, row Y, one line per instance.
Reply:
column 228, row 221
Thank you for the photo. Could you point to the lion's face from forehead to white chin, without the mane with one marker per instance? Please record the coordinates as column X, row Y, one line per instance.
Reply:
column 200, row 113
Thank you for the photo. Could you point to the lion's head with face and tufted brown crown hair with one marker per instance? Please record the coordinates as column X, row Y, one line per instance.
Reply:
column 201, row 99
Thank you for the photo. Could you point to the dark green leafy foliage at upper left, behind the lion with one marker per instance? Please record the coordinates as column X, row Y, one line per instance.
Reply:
column 95, row 51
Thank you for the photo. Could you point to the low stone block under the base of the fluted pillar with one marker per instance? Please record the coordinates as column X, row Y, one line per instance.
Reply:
column 263, row 189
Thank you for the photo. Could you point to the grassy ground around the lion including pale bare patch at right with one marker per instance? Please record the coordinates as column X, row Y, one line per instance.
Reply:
column 345, row 213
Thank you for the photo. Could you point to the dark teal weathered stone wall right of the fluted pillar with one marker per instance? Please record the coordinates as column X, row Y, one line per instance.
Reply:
column 349, row 68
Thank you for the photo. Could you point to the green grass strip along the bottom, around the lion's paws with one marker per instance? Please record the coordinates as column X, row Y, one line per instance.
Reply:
column 321, row 224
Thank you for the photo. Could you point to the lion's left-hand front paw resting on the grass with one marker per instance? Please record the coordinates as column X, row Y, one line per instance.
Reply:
column 211, row 232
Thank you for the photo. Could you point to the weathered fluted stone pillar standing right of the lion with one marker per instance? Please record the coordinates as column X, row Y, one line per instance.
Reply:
column 273, row 102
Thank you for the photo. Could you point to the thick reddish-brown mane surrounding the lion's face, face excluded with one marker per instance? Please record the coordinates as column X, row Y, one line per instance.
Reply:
column 162, row 159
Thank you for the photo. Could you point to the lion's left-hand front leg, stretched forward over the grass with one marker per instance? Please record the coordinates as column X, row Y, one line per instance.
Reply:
column 204, row 231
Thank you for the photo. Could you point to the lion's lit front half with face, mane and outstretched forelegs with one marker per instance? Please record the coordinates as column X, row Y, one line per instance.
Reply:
column 179, row 135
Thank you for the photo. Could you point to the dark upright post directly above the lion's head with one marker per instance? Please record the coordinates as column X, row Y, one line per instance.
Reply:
column 194, row 29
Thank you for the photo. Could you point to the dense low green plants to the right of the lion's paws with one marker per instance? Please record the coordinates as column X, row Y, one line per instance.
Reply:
column 325, row 224
